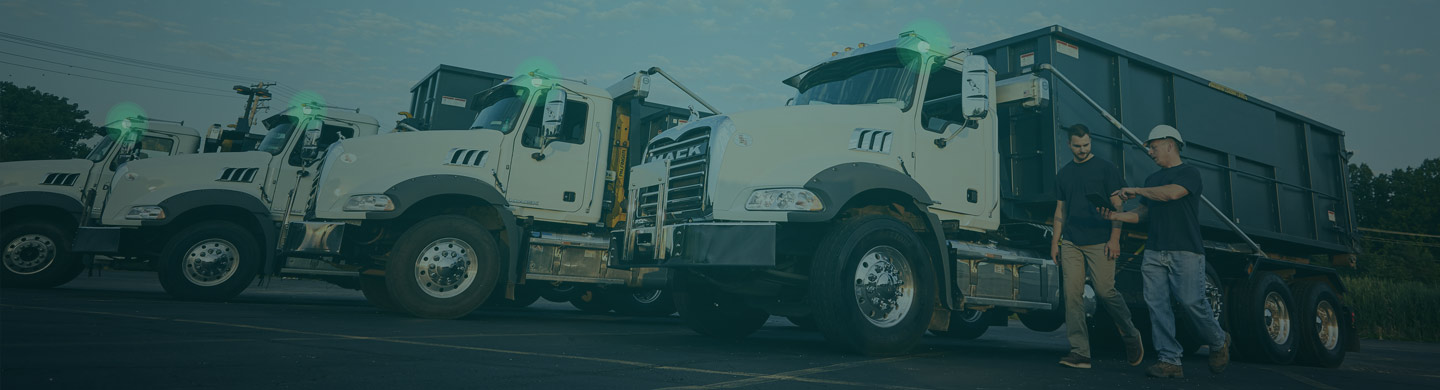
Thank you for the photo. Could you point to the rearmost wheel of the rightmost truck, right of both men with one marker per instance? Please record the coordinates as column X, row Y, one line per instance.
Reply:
column 1320, row 326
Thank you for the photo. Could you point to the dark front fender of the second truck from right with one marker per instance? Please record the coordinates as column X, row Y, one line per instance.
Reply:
column 414, row 191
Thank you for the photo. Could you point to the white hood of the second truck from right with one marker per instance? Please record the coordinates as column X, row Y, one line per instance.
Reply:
column 374, row 165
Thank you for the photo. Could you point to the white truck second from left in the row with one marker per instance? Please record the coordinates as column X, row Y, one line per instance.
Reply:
column 211, row 224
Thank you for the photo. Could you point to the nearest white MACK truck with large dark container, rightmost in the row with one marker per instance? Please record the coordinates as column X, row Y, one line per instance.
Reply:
column 908, row 191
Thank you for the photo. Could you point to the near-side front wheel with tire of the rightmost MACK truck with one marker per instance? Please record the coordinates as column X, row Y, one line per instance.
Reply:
column 873, row 287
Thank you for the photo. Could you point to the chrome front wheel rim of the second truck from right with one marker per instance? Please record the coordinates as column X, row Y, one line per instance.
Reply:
column 446, row 268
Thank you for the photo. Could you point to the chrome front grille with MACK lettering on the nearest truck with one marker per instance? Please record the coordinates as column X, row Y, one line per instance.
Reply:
column 689, row 165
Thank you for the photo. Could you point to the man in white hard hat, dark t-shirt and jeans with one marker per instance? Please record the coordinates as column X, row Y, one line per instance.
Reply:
column 1174, row 267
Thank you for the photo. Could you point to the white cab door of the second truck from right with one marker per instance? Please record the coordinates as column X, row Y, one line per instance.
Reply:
column 558, row 178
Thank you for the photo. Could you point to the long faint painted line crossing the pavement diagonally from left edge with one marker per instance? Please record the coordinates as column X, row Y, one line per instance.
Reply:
column 639, row 365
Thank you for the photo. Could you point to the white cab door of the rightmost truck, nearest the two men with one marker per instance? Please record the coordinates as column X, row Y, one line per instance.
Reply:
column 960, row 173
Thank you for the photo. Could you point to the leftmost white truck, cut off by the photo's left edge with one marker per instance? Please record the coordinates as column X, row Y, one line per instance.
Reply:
column 42, row 202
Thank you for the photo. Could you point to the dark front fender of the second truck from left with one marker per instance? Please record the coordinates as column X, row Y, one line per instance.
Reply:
column 182, row 204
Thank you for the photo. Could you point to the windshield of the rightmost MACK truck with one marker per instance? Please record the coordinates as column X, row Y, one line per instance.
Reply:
column 879, row 78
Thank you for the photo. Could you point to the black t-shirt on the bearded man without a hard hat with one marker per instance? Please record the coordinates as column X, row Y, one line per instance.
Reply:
column 1084, row 222
